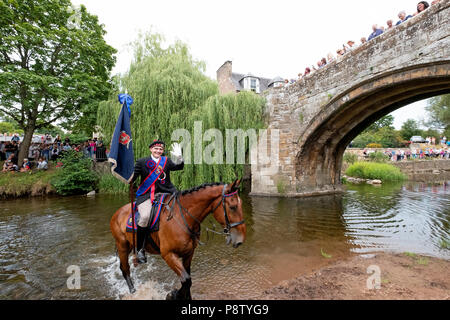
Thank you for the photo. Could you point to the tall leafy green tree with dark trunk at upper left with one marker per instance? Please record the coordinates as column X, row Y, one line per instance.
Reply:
column 50, row 69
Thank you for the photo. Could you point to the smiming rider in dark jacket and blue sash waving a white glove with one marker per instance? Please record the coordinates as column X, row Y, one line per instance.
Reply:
column 155, row 178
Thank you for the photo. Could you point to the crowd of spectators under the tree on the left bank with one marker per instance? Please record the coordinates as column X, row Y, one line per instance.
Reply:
column 48, row 149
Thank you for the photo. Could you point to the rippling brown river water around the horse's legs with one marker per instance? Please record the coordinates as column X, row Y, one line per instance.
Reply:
column 40, row 239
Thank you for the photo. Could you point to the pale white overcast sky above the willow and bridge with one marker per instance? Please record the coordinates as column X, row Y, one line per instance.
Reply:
column 265, row 38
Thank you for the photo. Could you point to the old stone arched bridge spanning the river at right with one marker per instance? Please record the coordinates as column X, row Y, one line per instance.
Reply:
column 317, row 117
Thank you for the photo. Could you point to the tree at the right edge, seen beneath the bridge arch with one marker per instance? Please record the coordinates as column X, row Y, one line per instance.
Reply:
column 438, row 109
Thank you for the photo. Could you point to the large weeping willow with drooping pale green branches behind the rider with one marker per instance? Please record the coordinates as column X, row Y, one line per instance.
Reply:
column 171, row 92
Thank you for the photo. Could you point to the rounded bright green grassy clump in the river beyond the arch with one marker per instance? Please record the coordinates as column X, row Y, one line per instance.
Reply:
column 373, row 170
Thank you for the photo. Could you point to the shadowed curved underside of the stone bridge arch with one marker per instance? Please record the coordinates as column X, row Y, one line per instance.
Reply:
column 321, row 147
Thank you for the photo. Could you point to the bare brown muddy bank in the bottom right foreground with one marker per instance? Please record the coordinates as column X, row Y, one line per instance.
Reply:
column 402, row 277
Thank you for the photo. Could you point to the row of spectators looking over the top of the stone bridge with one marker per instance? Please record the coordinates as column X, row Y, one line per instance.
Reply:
column 351, row 45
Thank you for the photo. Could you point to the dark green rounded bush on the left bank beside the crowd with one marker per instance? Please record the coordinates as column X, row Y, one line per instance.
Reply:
column 75, row 176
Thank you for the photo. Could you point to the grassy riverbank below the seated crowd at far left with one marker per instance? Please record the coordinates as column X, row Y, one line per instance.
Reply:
column 22, row 184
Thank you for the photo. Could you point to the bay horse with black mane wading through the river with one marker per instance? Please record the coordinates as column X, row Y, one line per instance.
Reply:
column 179, row 230
